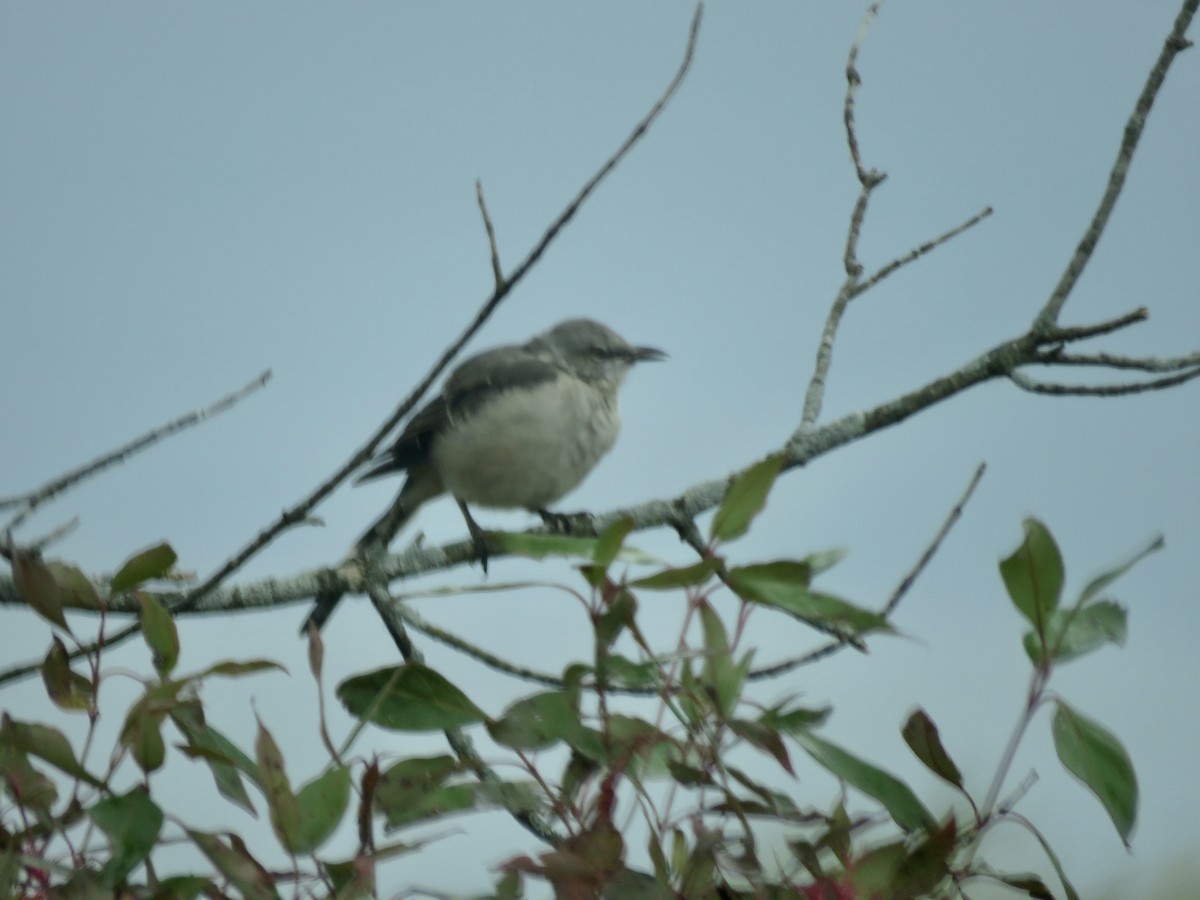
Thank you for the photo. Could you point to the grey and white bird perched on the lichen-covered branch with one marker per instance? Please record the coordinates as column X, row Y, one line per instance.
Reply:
column 515, row 428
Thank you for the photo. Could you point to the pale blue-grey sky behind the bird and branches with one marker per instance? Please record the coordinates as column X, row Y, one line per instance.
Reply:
column 194, row 194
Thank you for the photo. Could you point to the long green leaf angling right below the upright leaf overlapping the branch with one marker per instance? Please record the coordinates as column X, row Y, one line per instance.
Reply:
column 784, row 585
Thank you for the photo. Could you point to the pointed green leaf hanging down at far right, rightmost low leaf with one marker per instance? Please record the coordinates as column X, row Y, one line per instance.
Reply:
column 1096, row 758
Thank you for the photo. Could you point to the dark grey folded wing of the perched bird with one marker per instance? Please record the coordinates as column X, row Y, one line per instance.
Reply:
column 472, row 385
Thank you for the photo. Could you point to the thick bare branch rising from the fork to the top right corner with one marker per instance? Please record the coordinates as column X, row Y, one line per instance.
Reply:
column 1175, row 43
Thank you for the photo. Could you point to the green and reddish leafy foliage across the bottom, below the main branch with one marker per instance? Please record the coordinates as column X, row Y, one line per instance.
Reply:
column 704, row 764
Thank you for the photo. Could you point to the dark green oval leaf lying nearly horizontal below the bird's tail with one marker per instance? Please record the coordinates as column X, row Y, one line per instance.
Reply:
column 409, row 698
